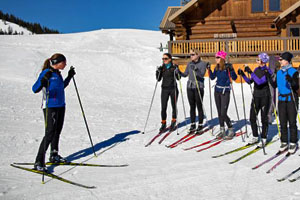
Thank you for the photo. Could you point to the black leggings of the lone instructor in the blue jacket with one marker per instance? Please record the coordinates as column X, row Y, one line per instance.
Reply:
column 54, row 125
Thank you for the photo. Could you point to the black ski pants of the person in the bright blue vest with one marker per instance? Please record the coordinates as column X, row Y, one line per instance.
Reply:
column 288, row 114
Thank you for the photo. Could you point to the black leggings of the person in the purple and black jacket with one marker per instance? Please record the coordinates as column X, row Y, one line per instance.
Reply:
column 261, row 104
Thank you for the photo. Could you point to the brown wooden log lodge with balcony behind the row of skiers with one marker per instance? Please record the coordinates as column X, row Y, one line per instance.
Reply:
column 242, row 28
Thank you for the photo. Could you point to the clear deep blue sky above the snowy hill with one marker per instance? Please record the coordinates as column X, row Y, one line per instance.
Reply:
column 70, row 16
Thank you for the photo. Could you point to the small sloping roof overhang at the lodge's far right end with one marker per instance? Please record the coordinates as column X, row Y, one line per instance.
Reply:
column 282, row 18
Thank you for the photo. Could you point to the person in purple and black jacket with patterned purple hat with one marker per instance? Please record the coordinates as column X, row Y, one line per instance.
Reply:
column 261, row 96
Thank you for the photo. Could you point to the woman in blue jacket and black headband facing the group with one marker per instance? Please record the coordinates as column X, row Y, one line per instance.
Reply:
column 51, row 82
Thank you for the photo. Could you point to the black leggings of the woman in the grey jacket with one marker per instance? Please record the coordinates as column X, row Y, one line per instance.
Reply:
column 194, row 100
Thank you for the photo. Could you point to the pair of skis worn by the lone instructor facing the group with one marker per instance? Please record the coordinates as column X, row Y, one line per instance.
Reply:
column 51, row 175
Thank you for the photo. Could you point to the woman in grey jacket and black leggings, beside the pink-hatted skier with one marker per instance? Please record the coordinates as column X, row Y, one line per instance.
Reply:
column 199, row 67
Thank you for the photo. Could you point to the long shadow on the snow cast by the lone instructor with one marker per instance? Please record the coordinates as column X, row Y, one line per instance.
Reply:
column 112, row 142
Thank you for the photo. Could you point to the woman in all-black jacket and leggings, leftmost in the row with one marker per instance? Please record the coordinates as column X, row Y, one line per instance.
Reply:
column 168, row 73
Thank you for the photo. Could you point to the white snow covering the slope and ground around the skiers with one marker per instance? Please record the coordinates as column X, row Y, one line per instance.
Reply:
column 115, row 78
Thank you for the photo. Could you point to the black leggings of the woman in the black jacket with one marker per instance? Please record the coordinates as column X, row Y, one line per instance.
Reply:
column 165, row 94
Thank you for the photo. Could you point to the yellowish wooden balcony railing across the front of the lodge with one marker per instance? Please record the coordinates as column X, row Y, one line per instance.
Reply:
column 236, row 47
